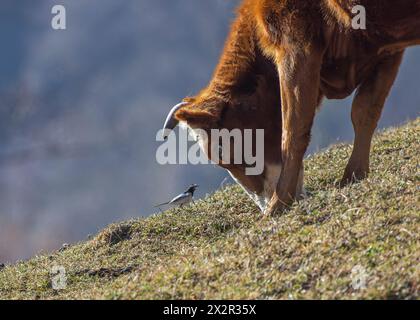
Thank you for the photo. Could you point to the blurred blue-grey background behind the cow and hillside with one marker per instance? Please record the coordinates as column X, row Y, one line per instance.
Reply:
column 80, row 108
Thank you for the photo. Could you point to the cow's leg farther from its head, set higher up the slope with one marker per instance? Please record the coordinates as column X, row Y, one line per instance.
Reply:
column 366, row 111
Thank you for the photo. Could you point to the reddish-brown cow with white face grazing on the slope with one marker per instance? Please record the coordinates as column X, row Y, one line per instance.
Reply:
column 308, row 50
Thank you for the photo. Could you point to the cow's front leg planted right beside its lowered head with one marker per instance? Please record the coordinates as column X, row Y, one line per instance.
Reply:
column 299, row 81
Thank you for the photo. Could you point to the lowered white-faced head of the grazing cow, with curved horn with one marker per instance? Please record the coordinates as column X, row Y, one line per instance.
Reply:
column 252, row 102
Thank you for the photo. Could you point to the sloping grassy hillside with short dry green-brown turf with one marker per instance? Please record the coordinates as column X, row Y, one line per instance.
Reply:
column 221, row 247
